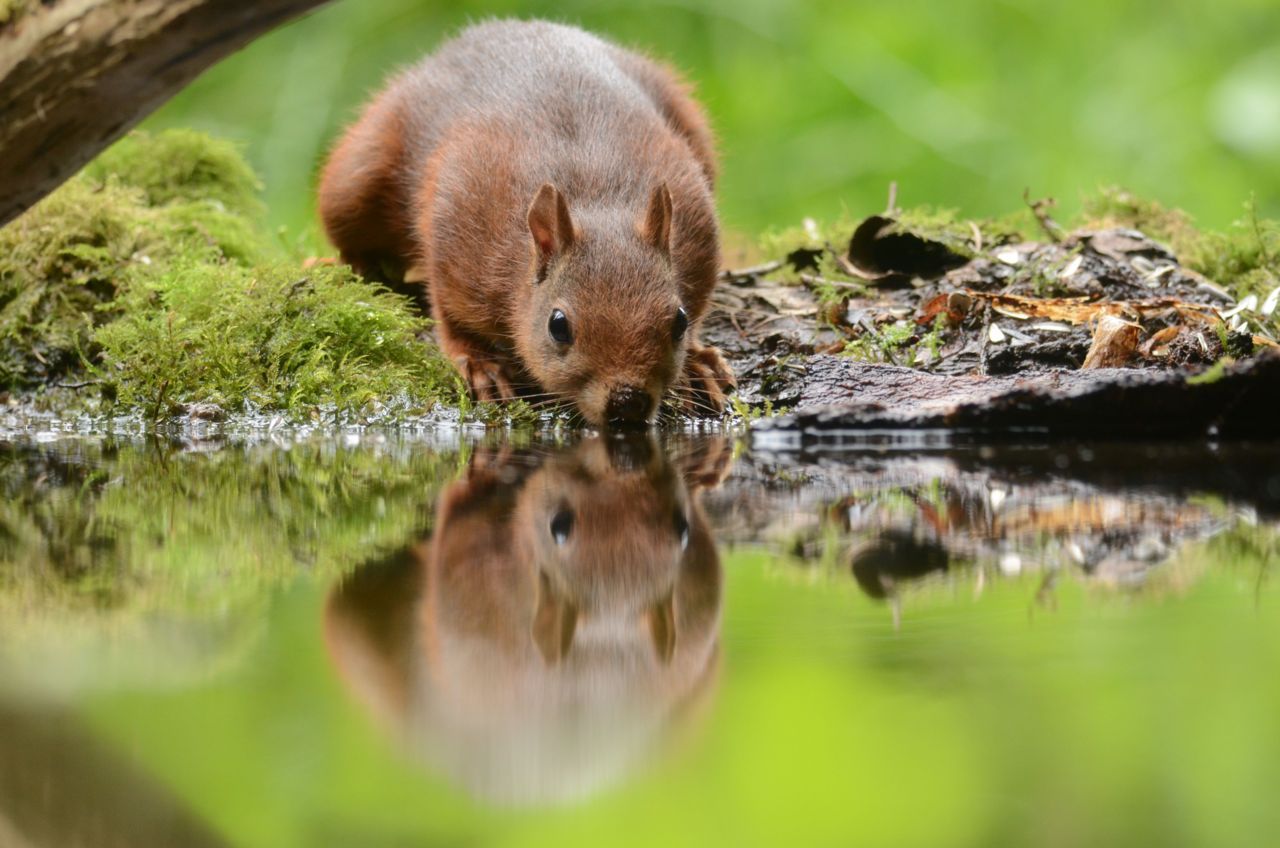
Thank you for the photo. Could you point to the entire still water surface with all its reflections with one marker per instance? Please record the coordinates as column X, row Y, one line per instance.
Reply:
column 382, row 640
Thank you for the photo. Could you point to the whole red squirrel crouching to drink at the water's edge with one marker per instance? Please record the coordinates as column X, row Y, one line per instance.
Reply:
column 555, row 194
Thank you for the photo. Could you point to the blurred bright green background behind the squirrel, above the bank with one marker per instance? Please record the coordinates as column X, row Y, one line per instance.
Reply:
column 821, row 104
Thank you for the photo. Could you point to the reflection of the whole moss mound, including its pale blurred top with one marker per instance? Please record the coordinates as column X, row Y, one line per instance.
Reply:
column 152, row 562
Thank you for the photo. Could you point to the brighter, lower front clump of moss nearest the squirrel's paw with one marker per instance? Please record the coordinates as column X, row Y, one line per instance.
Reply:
column 271, row 336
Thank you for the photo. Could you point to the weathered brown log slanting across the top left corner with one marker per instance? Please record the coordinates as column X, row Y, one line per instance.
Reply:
column 76, row 75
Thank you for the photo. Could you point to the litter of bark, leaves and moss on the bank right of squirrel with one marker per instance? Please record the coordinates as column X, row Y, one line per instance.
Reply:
column 973, row 302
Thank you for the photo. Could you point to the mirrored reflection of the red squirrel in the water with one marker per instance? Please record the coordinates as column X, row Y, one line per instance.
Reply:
column 564, row 612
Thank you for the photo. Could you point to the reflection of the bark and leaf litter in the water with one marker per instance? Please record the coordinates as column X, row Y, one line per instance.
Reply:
column 1114, row 516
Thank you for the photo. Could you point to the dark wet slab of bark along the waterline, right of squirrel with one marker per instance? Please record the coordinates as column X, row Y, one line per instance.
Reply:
column 843, row 399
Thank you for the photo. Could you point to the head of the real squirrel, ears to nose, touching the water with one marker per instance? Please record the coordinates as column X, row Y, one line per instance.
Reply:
column 606, row 325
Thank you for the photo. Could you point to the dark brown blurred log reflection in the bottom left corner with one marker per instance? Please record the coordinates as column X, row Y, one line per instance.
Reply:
column 61, row 787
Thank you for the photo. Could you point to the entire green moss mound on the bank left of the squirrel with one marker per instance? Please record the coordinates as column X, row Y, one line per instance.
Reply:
column 150, row 271
